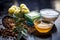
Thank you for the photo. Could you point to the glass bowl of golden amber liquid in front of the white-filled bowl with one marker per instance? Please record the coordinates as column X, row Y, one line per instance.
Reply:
column 43, row 27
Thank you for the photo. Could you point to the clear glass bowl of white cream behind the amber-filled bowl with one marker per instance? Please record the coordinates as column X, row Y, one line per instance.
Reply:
column 49, row 14
